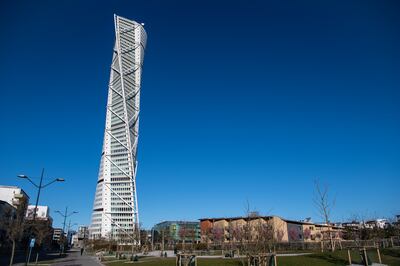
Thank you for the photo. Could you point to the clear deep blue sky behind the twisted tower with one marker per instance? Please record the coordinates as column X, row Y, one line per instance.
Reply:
column 241, row 100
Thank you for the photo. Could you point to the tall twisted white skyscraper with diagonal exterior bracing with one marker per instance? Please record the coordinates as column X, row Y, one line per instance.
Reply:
column 115, row 208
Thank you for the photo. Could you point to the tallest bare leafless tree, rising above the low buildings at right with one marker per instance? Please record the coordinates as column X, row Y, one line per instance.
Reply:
column 324, row 207
